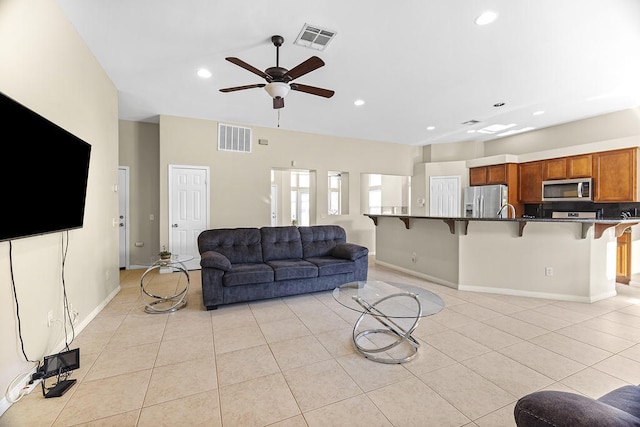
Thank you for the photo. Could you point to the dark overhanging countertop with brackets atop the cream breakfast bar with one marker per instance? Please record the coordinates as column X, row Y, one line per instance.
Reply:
column 600, row 225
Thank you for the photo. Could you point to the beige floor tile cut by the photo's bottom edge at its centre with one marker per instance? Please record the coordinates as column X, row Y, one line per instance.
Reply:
column 357, row 411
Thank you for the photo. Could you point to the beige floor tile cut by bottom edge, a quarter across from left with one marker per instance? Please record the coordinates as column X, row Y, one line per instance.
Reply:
column 200, row 409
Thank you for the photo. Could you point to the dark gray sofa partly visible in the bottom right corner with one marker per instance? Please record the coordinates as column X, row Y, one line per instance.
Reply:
column 620, row 407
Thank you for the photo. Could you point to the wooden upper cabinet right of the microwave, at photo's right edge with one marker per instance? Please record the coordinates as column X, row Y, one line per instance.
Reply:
column 615, row 175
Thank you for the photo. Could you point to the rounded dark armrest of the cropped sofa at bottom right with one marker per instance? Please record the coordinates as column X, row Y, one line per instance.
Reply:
column 557, row 408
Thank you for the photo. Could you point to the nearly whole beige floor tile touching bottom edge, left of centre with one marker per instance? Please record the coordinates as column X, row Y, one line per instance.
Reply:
column 260, row 401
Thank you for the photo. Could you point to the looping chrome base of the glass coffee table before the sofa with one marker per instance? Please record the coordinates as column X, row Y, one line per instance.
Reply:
column 401, row 334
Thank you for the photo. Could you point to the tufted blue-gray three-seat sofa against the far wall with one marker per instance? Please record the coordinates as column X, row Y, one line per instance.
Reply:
column 246, row 264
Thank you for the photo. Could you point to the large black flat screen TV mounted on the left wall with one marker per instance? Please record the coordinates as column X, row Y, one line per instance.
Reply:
column 44, row 172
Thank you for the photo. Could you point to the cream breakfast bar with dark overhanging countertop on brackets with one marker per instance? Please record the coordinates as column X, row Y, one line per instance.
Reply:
column 562, row 259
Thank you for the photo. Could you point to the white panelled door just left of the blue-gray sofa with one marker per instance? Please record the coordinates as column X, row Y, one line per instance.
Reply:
column 188, row 210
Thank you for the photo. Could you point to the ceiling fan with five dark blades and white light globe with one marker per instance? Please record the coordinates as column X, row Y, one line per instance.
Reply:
column 279, row 79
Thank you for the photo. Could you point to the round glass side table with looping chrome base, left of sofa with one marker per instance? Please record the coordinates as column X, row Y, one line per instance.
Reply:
column 156, row 304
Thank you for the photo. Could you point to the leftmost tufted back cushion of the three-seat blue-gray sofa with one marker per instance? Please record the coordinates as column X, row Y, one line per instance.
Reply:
column 240, row 245
